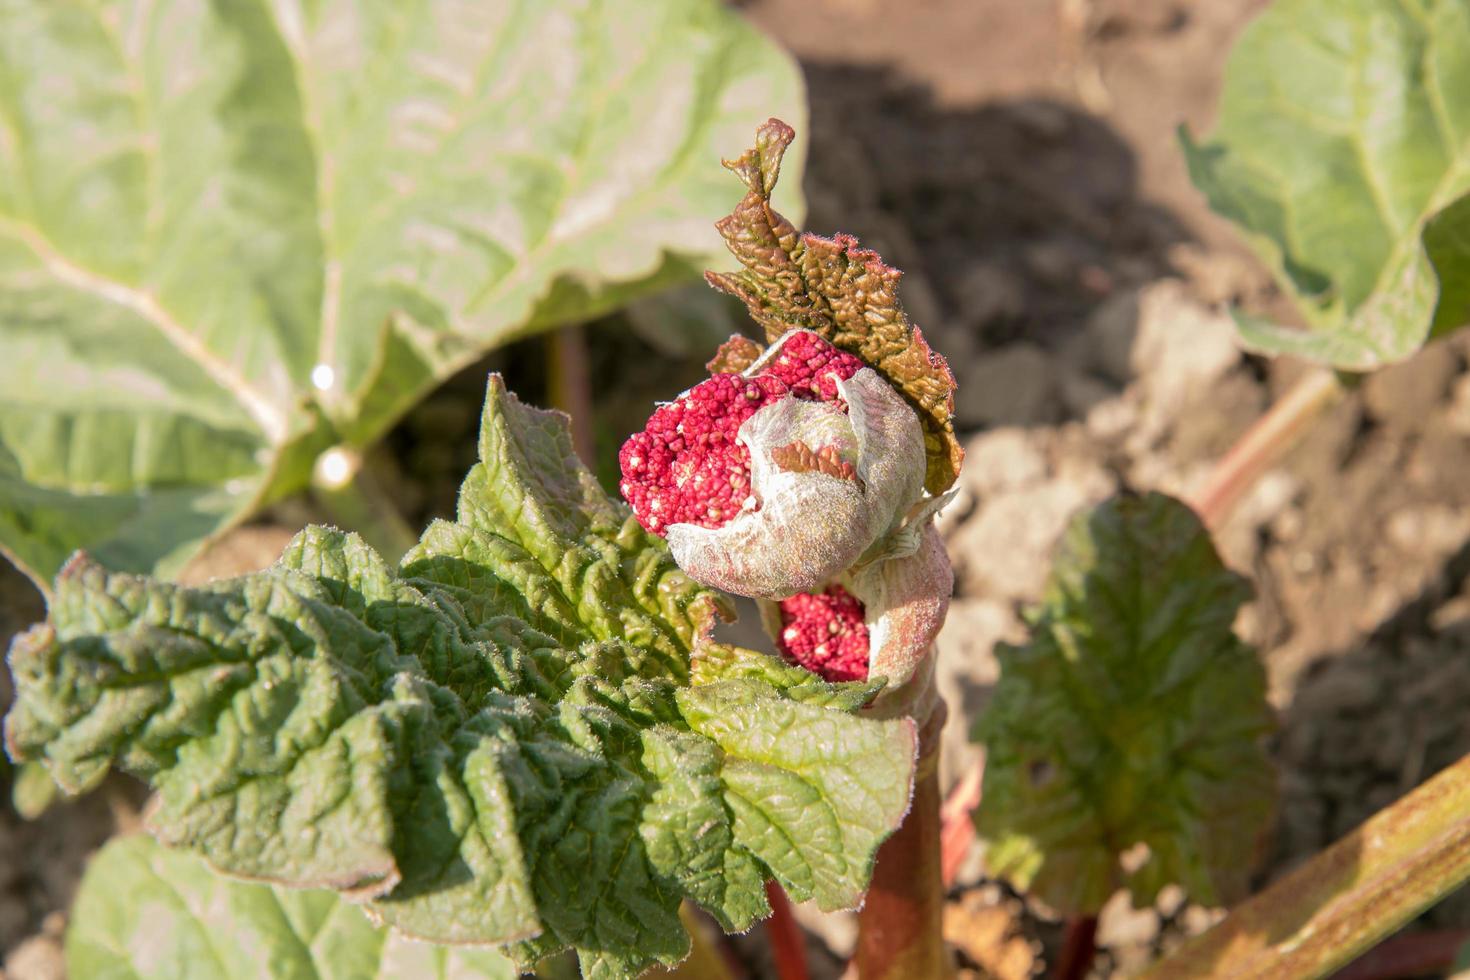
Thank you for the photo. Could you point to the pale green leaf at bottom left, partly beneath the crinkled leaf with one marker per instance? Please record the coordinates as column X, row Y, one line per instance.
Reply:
column 151, row 912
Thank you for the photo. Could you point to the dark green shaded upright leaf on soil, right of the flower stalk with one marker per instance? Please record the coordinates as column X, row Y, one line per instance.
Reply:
column 1134, row 716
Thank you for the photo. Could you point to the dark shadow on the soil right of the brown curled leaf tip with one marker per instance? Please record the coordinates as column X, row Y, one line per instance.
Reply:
column 1011, row 220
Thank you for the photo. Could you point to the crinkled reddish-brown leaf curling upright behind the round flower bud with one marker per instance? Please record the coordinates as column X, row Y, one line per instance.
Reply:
column 837, row 290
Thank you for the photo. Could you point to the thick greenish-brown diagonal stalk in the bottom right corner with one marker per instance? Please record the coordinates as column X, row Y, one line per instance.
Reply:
column 1328, row 912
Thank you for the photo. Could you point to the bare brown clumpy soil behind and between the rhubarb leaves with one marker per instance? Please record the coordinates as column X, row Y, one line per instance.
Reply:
column 1018, row 159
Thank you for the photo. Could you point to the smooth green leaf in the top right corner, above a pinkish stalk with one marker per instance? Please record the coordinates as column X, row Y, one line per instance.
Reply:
column 1344, row 152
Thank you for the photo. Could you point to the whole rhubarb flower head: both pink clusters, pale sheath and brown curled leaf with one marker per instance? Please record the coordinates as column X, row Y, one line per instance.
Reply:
column 806, row 474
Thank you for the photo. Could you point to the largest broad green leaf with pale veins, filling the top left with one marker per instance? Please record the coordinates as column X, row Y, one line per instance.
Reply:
column 233, row 234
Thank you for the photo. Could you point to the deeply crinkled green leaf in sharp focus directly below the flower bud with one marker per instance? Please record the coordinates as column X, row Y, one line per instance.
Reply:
column 499, row 743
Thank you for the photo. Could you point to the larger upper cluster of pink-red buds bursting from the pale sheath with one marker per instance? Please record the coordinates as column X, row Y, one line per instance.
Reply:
column 687, row 465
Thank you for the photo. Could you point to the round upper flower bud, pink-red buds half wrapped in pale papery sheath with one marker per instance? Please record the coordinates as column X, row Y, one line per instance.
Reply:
column 777, row 481
